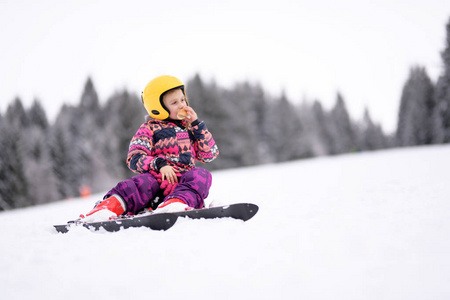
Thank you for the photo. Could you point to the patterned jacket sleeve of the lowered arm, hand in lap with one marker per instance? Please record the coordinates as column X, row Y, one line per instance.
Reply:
column 140, row 158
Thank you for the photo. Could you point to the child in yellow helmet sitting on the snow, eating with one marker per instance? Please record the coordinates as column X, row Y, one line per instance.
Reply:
column 163, row 152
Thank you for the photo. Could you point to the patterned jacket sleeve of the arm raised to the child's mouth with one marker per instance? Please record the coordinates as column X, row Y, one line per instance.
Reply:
column 205, row 147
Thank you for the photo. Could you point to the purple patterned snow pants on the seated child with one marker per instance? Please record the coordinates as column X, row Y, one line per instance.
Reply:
column 141, row 190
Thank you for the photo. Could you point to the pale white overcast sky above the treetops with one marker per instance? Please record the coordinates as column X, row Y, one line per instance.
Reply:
column 309, row 49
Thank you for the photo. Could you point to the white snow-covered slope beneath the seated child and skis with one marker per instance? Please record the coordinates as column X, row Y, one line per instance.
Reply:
column 358, row 226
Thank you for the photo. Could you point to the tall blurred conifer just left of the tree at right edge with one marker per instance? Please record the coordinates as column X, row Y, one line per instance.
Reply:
column 416, row 109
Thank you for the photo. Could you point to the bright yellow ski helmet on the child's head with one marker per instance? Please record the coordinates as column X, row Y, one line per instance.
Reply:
column 152, row 96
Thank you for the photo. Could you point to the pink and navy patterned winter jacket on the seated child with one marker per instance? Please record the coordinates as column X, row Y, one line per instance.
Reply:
column 158, row 143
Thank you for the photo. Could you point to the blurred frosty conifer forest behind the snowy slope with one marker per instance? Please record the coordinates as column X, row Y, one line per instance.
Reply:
column 87, row 144
